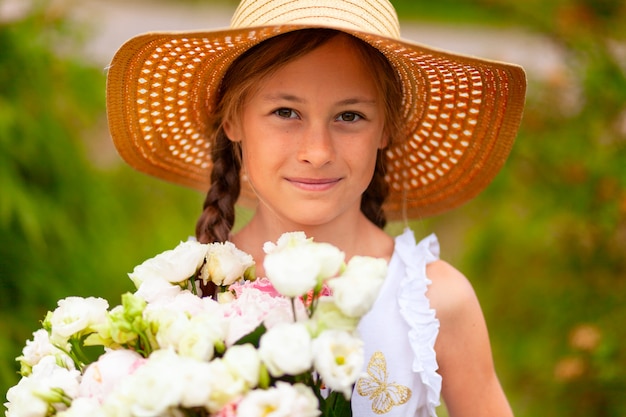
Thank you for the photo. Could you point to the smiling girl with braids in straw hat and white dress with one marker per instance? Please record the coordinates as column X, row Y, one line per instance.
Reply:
column 318, row 115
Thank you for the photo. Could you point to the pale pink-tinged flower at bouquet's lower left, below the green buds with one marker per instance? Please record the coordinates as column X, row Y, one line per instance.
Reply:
column 112, row 367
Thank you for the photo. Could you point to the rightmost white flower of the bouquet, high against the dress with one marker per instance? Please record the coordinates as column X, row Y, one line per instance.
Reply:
column 356, row 290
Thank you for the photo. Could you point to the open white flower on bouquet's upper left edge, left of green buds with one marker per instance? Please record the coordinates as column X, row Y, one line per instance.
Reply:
column 75, row 317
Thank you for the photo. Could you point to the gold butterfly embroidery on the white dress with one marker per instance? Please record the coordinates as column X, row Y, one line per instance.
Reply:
column 384, row 395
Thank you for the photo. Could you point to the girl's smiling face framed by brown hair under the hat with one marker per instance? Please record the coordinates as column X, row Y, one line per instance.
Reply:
column 310, row 135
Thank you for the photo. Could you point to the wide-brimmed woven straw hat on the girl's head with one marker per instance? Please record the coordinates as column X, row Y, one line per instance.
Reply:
column 461, row 113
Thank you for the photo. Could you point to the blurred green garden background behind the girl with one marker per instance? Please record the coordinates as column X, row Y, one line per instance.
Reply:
column 544, row 245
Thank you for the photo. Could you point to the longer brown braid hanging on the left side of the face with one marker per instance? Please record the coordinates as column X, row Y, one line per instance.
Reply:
column 218, row 216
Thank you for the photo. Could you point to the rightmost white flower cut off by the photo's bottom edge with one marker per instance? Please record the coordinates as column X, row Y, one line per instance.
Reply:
column 283, row 400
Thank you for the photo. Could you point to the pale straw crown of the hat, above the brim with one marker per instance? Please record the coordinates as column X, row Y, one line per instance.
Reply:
column 371, row 16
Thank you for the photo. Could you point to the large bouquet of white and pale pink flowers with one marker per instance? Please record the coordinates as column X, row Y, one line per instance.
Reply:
column 281, row 345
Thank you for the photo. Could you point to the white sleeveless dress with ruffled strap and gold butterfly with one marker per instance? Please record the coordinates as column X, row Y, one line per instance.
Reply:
column 400, row 373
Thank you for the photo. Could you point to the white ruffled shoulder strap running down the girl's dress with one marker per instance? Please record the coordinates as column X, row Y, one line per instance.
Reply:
column 416, row 311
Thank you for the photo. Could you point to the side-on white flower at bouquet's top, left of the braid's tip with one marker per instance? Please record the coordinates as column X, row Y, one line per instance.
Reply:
column 174, row 265
